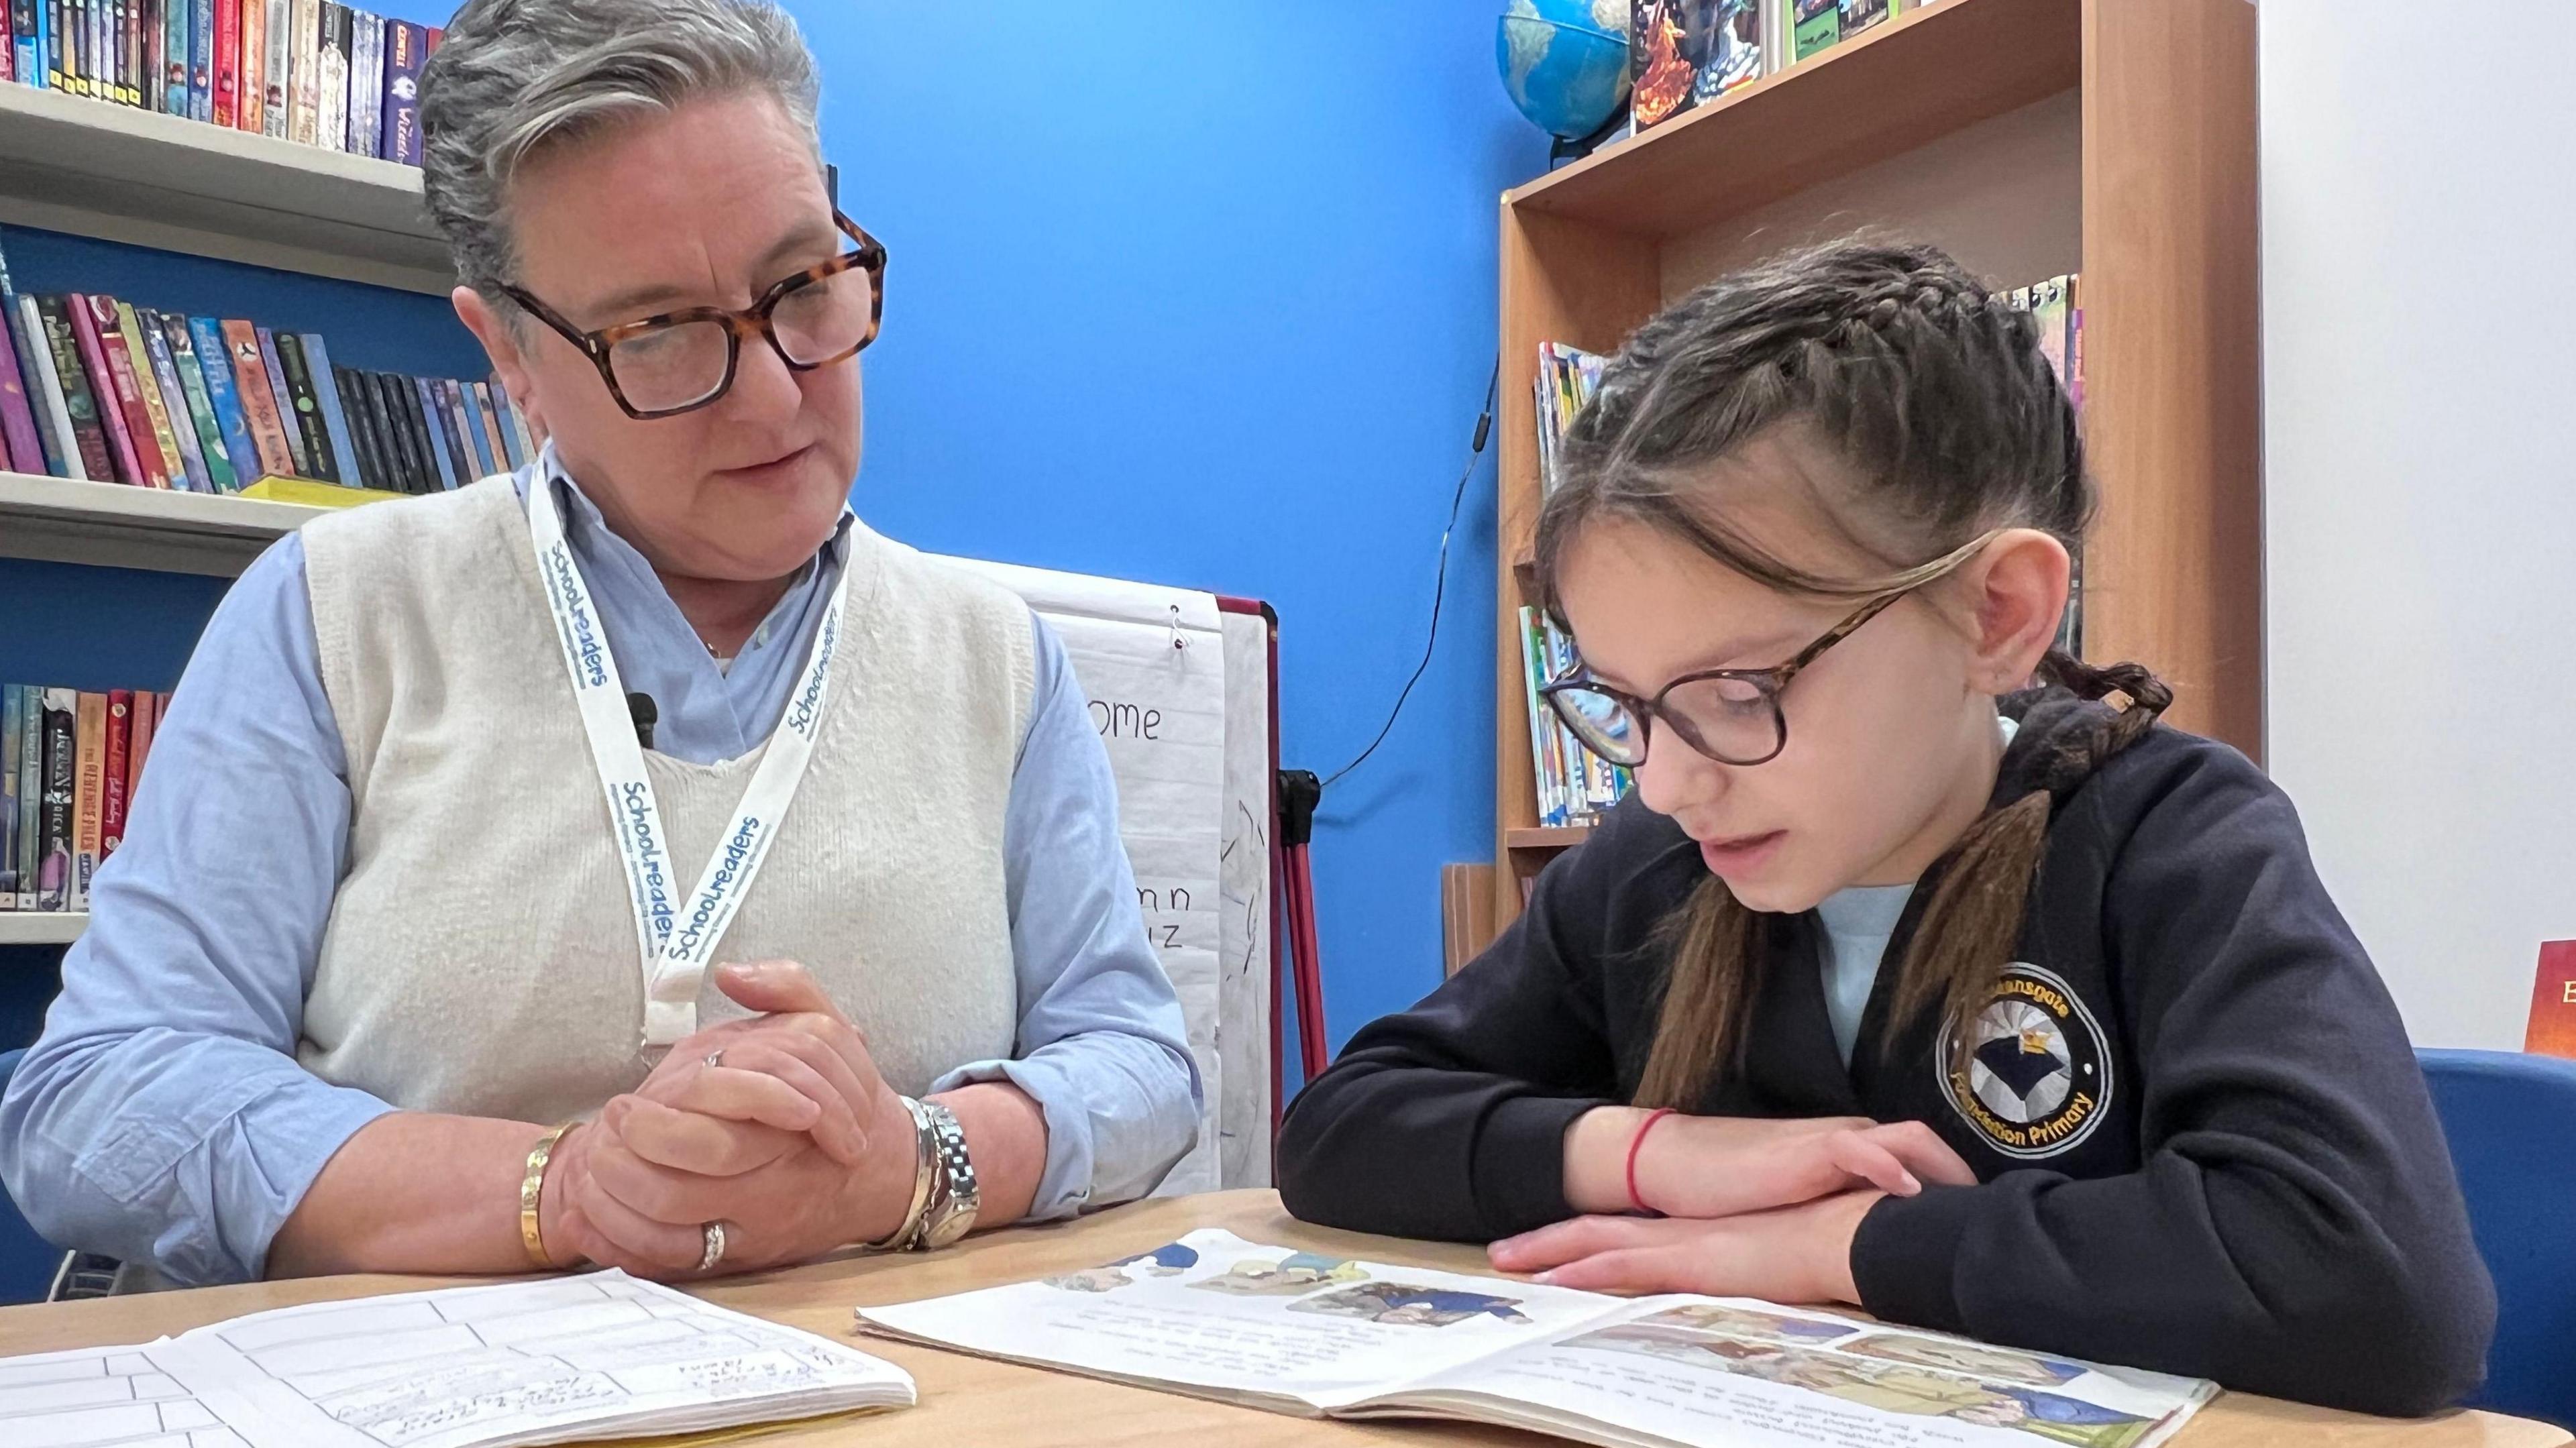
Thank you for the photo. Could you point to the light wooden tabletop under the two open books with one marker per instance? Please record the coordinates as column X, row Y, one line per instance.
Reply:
column 970, row 1403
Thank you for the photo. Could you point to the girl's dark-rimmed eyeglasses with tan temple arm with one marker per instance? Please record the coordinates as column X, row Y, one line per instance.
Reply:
column 1730, row 715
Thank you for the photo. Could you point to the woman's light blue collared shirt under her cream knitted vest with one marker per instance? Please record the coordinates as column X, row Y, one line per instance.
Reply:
column 164, row 1117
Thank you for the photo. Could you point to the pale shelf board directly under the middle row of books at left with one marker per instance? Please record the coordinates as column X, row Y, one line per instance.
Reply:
column 138, row 527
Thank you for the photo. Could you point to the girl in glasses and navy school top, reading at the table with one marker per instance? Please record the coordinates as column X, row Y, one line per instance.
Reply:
column 1908, row 980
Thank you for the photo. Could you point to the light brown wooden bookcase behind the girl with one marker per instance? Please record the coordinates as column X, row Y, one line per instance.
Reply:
column 2031, row 138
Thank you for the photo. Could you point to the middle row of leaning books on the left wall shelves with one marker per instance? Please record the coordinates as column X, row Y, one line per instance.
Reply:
column 94, row 388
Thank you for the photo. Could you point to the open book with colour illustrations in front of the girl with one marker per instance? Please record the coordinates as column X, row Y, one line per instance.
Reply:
column 1222, row 1318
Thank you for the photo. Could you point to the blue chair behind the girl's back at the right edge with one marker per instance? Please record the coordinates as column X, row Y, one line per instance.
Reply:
column 2513, row 1138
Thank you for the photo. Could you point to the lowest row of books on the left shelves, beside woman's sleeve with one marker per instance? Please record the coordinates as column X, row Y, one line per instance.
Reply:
column 68, row 774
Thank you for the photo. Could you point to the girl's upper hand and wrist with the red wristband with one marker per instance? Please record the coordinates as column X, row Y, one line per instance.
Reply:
column 1722, row 1166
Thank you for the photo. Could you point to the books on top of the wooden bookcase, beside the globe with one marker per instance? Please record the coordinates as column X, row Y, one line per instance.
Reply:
column 1689, row 53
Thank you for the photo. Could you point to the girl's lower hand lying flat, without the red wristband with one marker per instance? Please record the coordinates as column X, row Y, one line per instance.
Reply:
column 1792, row 1256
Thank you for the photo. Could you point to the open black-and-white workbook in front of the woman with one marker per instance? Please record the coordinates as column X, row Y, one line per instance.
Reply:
column 547, row 1362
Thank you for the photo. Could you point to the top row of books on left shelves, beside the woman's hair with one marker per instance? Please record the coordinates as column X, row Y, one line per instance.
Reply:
column 303, row 71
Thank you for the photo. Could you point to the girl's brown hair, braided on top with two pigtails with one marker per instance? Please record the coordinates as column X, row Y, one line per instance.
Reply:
column 1949, row 421
